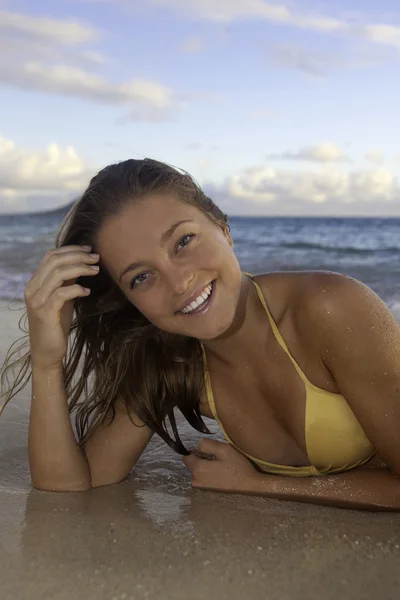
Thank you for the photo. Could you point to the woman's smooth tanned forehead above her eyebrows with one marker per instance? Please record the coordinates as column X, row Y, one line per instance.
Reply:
column 137, row 229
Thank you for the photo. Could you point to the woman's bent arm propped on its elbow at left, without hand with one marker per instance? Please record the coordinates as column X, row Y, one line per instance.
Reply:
column 56, row 461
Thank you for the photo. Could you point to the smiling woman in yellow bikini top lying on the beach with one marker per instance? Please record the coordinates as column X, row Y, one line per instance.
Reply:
column 300, row 369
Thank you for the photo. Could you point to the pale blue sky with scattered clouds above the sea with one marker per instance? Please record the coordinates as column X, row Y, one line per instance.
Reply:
column 288, row 108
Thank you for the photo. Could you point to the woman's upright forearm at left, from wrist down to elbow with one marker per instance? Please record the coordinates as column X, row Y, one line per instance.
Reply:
column 56, row 461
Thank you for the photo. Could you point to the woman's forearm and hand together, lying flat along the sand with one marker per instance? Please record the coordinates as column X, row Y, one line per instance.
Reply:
column 367, row 487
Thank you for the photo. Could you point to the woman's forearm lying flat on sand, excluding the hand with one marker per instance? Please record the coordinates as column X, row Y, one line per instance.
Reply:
column 365, row 489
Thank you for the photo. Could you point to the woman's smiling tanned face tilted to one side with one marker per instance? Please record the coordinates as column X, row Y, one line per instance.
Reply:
column 159, row 265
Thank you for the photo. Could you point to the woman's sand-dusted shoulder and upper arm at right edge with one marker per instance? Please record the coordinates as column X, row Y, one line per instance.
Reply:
column 358, row 339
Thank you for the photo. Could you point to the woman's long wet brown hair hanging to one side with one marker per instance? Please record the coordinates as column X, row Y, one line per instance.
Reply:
column 127, row 357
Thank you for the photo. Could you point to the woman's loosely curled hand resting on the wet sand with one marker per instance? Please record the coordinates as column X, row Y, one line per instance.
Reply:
column 226, row 469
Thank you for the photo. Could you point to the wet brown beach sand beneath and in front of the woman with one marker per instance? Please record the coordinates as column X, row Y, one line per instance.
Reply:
column 153, row 536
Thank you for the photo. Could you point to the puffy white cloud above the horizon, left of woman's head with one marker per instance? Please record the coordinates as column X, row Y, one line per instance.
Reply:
column 40, row 173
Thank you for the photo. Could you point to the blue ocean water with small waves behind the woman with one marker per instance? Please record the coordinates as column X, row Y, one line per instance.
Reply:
column 365, row 248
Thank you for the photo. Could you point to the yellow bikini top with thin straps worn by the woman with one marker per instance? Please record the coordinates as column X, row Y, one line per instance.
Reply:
column 335, row 440
